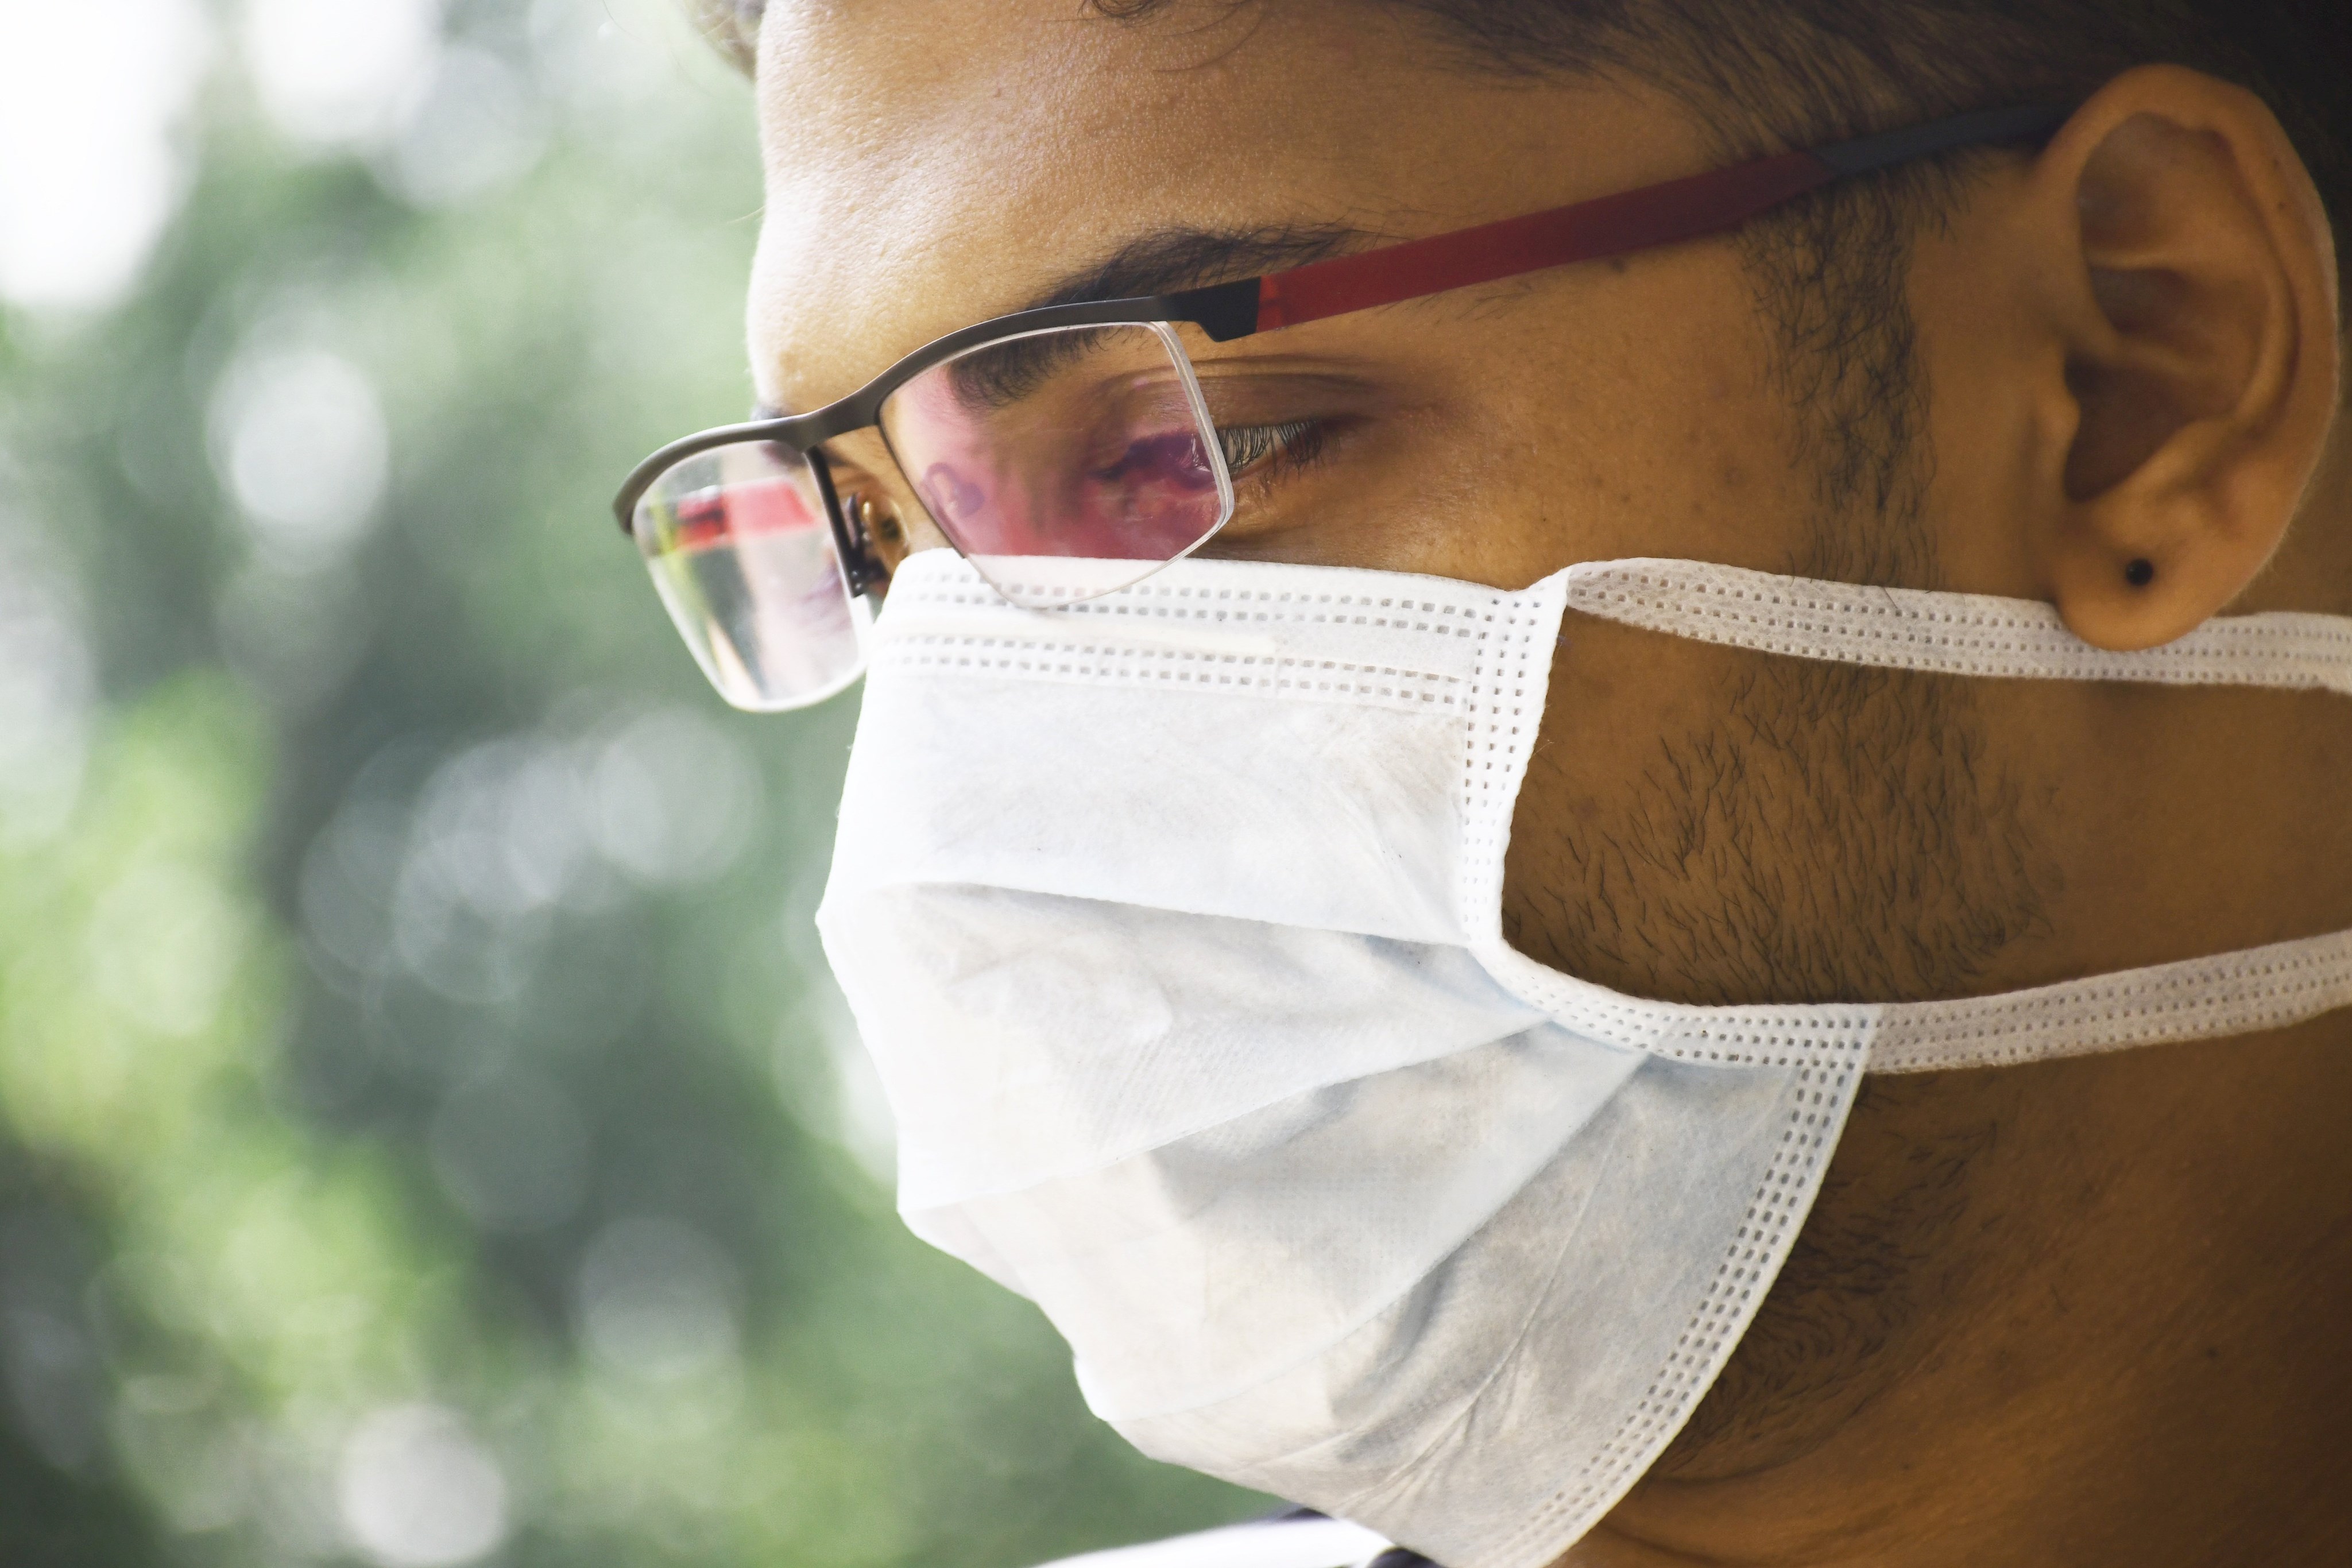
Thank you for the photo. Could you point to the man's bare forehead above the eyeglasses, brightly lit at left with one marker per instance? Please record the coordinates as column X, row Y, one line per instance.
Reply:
column 933, row 163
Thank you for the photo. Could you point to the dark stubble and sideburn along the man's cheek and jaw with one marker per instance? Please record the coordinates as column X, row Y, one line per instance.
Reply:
column 1833, row 836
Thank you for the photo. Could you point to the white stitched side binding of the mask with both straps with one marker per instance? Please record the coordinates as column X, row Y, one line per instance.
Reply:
column 2238, row 993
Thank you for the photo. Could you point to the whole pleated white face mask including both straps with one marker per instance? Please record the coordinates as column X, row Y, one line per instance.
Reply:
column 1172, row 923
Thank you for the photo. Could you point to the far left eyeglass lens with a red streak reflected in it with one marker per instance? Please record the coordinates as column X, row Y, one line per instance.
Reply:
column 744, row 561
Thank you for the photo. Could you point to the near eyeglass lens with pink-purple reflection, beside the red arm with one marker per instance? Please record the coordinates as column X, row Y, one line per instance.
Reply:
column 1064, row 464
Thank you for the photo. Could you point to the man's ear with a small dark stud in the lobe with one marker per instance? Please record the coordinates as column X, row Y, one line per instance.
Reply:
column 2196, row 304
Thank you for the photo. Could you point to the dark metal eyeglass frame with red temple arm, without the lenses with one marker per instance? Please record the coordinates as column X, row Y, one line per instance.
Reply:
column 1690, row 208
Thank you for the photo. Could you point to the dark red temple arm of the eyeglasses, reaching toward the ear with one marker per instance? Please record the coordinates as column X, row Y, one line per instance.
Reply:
column 1589, row 232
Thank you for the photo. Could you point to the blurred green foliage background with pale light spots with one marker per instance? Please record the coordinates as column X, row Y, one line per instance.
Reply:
column 427, row 1132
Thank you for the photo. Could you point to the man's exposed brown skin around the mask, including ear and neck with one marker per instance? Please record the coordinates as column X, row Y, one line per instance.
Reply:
column 2083, row 1311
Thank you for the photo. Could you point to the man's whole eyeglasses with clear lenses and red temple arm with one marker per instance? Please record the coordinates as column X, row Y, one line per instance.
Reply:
column 1067, row 453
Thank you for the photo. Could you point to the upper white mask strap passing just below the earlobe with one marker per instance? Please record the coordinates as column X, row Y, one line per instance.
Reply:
column 1949, row 634
